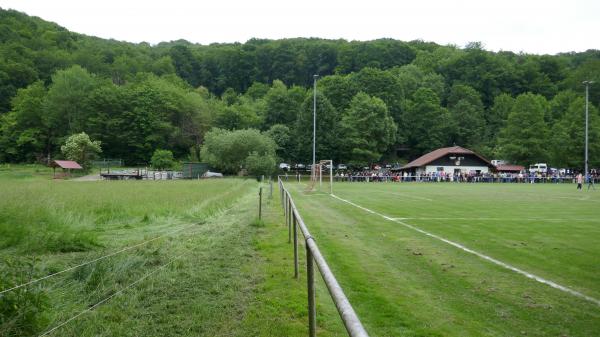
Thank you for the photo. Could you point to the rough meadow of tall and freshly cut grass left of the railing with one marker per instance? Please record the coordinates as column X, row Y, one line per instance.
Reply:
column 177, row 256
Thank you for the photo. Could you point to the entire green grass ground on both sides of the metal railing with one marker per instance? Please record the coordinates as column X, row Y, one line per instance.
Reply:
column 202, row 265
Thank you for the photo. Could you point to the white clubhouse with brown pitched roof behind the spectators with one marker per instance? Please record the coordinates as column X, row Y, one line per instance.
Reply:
column 451, row 160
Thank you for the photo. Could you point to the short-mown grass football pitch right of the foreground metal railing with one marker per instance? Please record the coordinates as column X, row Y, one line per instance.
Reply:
column 402, row 281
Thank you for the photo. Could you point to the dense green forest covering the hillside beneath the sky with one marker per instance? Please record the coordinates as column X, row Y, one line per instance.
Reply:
column 381, row 100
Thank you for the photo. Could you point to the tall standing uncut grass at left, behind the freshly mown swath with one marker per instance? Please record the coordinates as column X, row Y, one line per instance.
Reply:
column 38, row 216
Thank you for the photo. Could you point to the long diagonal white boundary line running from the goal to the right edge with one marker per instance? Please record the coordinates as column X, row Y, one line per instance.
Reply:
column 483, row 256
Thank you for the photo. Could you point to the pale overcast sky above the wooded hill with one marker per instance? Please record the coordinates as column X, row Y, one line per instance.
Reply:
column 531, row 26
